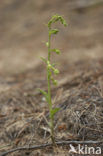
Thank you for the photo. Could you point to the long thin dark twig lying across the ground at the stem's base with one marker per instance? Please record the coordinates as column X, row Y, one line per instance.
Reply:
column 60, row 143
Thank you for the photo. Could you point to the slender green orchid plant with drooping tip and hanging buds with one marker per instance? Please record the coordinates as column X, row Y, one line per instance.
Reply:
column 51, row 69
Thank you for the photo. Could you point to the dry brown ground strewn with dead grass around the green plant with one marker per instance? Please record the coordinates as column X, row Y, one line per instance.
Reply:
column 79, row 94
